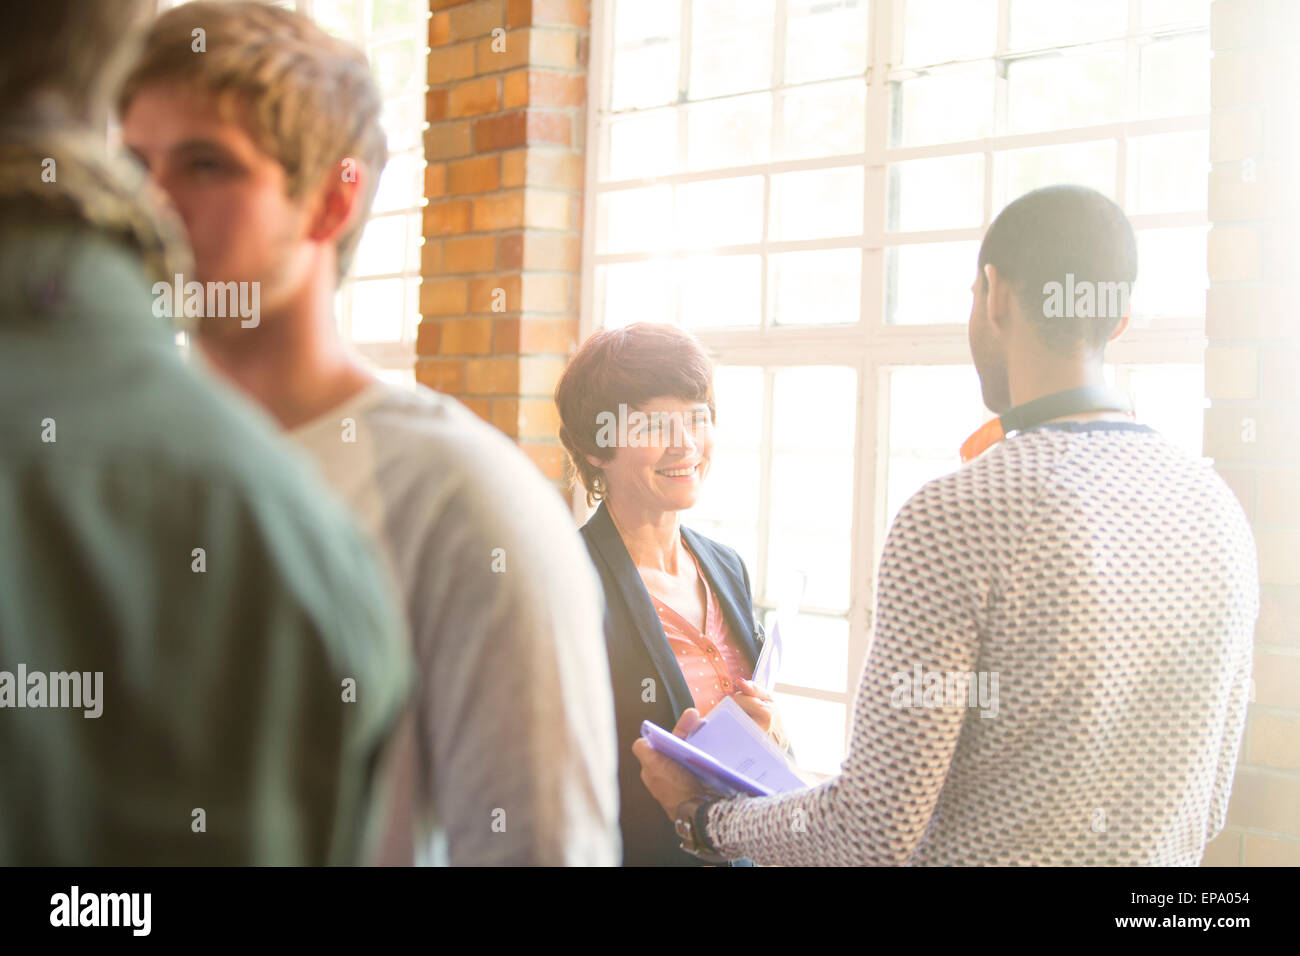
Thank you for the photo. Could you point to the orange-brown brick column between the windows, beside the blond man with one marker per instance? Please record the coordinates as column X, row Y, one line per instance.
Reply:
column 502, row 254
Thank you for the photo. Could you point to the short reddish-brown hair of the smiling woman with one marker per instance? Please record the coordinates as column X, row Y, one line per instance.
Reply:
column 627, row 366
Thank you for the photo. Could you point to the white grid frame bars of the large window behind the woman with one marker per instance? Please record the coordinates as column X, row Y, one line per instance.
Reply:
column 870, row 347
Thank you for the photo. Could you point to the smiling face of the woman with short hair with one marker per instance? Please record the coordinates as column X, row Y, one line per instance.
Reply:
column 662, row 456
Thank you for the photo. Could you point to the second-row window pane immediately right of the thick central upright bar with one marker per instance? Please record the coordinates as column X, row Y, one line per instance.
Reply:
column 943, row 107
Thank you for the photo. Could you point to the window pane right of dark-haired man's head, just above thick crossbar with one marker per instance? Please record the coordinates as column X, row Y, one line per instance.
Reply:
column 1172, row 272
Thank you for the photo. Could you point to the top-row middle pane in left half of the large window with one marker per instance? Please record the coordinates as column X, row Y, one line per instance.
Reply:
column 731, row 47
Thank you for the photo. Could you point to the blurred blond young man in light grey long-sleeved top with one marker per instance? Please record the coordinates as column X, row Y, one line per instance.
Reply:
column 268, row 142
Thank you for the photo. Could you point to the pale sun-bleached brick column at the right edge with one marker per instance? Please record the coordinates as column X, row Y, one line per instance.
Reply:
column 1253, row 377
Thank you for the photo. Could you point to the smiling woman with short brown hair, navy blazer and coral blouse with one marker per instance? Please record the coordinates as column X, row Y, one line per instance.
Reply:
column 638, row 419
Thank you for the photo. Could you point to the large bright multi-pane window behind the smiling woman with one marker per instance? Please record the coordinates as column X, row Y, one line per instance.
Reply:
column 804, row 184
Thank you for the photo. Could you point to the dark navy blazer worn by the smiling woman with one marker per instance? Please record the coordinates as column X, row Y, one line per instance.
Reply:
column 648, row 684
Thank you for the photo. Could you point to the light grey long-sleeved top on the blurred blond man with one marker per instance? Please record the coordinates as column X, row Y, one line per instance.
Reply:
column 508, row 755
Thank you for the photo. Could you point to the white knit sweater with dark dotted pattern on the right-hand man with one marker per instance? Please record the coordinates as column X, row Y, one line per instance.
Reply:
column 1102, row 587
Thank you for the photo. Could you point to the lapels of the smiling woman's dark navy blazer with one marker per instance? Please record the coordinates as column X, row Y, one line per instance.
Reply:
column 632, row 590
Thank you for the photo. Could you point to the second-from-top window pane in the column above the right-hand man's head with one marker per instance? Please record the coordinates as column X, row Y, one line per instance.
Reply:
column 1063, row 90
